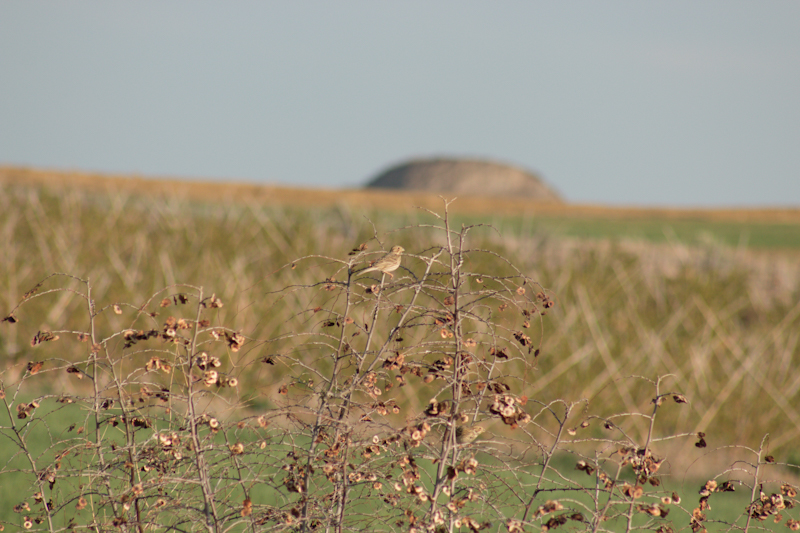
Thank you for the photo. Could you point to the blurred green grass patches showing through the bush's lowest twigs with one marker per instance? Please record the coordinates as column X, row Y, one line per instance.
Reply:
column 55, row 423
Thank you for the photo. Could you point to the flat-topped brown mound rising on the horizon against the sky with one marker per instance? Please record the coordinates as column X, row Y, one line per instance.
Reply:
column 465, row 177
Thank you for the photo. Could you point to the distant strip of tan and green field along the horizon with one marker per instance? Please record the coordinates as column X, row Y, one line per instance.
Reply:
column 757, row 228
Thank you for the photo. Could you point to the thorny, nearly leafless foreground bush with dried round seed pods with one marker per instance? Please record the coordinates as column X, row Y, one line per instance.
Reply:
column 400, row 405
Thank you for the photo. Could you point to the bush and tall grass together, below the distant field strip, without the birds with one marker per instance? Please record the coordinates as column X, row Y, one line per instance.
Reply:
column 224, row 367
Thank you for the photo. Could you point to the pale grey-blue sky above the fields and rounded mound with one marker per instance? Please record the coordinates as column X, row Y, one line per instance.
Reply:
column 680, row 103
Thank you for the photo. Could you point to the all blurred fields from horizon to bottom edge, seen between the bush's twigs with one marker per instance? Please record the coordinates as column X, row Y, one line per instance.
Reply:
column 694, row 305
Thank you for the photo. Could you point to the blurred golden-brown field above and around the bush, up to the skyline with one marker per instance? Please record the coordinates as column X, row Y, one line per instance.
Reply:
column 710, row 298
